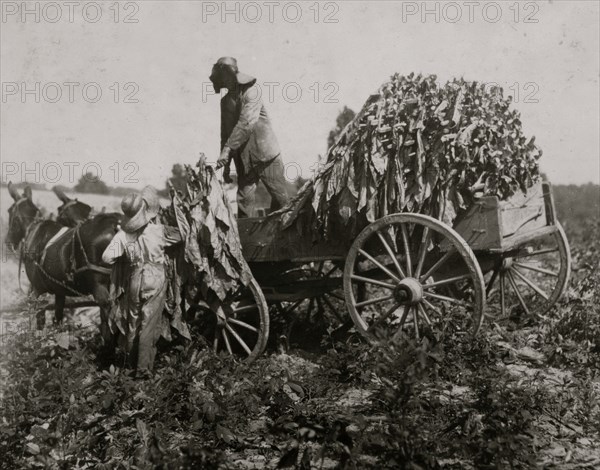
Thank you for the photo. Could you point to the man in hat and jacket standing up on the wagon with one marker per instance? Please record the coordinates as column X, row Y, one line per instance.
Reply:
column 247, row 138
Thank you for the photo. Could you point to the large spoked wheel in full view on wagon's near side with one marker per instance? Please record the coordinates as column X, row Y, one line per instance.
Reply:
column 405, row 264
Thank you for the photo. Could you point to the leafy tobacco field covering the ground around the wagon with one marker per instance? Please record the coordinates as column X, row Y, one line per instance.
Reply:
column 523, row 394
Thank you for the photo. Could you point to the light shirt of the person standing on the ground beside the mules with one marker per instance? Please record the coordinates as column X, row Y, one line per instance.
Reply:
column 147, row 246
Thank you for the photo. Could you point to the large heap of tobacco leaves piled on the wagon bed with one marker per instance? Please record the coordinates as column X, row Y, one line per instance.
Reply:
column 417, row 146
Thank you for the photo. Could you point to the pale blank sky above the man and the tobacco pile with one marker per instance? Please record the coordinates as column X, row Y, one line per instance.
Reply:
column 122, row 91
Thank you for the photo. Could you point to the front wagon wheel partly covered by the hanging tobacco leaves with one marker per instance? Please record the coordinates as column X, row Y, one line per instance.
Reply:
column 242, row 328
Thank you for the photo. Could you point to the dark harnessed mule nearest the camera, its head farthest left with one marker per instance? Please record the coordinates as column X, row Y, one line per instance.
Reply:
column 71, row 265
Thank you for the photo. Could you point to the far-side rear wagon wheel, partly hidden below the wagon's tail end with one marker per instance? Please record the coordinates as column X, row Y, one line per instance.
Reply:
column 534, row 278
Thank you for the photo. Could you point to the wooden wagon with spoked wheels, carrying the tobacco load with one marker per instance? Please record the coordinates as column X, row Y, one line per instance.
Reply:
column 405, row 273
